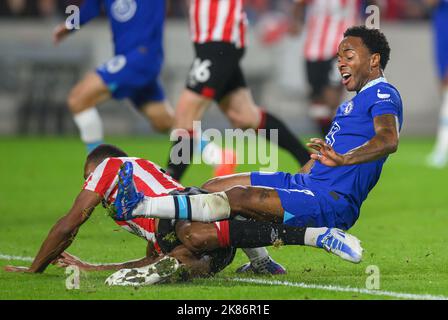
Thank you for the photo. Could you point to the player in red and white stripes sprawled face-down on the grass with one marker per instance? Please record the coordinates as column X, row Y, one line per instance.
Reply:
column 203, row 248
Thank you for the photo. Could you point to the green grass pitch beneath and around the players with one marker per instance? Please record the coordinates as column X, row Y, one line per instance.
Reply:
column 402, row 225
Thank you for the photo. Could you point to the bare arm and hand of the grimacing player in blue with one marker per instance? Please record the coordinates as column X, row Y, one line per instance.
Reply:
column 382, row 144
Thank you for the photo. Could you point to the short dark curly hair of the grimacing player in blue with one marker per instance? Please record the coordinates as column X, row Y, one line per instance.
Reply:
column 374, row 40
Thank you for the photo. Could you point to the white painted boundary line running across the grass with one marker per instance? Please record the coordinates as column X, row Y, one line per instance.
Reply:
column 397, row 295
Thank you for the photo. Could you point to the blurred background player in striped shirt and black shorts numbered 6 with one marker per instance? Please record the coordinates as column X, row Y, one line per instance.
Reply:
column 218, row 31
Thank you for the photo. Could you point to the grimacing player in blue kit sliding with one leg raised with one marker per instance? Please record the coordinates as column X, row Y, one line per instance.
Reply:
column 330, row 189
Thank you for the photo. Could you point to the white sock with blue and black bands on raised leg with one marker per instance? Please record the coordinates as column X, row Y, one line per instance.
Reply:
column 204, row 207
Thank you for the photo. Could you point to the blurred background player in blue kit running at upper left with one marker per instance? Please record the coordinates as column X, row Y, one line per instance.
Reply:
column 133, row 73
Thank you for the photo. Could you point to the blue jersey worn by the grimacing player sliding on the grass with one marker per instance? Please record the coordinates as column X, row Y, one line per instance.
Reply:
column 352, row 127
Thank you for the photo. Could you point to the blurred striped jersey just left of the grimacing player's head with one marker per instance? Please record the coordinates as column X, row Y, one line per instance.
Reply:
column 326, row 22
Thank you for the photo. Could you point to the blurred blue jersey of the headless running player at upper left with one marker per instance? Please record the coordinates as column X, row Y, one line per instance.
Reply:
column 134, row 23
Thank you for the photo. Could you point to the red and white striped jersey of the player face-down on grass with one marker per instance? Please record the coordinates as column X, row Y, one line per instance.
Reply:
column 149, row 179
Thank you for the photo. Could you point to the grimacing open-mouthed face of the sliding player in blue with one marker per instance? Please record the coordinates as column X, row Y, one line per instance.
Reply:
column 356, row 64
